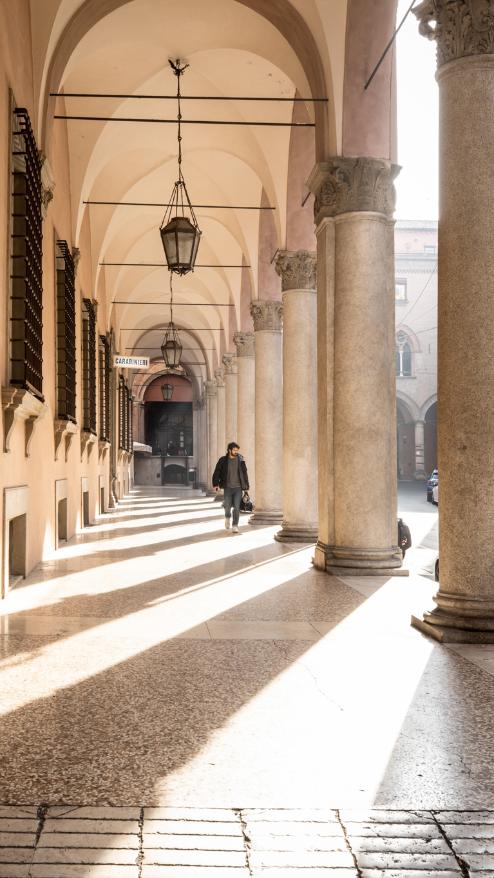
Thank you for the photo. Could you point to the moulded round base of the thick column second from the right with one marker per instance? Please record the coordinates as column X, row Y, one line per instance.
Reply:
column 343, row 561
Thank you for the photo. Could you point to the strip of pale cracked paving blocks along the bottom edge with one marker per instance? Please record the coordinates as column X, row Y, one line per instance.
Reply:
column 166, row 842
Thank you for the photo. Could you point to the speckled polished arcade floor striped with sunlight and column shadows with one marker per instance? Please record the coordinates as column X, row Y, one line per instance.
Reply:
column 158, row 660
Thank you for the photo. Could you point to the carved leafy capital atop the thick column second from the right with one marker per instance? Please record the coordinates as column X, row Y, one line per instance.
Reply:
column 348, row 185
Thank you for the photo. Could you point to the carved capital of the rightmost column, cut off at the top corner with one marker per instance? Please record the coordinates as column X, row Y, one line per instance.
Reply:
column 462, row 27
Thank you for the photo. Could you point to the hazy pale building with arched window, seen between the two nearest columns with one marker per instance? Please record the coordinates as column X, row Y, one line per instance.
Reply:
column 416, row 346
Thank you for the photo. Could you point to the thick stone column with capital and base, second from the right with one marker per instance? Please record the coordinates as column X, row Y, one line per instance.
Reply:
column 356, row 381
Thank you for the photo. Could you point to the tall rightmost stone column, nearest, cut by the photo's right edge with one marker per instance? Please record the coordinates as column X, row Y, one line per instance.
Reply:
column 464, row 32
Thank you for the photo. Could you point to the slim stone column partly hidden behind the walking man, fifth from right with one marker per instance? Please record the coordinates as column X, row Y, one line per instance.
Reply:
column 246, row 402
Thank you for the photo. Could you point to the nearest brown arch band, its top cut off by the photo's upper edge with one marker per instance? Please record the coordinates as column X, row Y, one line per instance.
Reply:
column 282, row 15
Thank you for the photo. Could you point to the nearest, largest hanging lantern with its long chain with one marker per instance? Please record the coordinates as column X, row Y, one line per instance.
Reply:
column 179, row 230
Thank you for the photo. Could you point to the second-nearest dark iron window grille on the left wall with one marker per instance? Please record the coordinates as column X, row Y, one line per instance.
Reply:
column 66, row 364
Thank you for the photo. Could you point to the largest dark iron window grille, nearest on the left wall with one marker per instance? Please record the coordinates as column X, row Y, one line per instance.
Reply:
column 26, row 324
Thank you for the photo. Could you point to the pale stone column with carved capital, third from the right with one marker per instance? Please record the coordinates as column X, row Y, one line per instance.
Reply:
column 298, row 282
